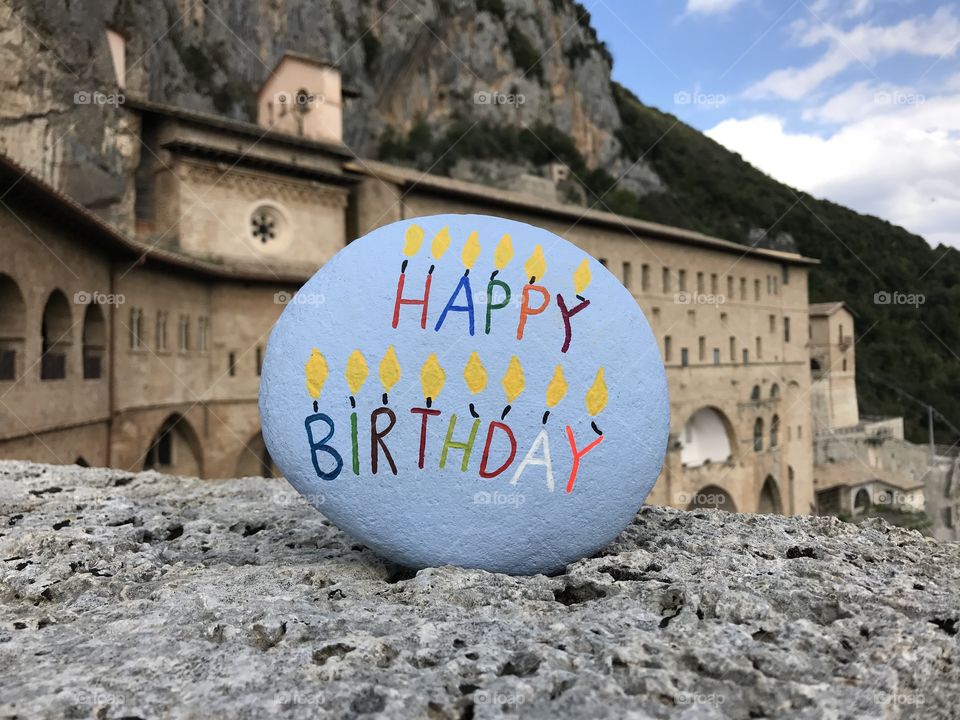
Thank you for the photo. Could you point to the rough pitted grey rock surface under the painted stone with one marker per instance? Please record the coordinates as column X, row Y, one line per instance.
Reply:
column 145, row 595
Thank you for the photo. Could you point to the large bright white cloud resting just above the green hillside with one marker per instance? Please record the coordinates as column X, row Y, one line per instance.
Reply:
column 897, row 161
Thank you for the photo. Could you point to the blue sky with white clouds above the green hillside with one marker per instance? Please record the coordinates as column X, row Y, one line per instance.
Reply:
column 857, row 101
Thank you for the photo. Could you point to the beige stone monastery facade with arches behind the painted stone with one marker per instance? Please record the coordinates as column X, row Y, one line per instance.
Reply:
column 228, row 219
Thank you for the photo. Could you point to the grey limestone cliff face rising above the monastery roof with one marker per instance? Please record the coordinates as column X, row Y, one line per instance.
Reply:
column 412, row 61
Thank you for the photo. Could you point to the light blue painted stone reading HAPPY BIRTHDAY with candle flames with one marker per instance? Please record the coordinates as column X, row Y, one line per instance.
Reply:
column 467, row 390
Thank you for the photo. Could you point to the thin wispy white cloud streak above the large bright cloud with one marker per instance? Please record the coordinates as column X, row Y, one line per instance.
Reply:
column 935, row 36
